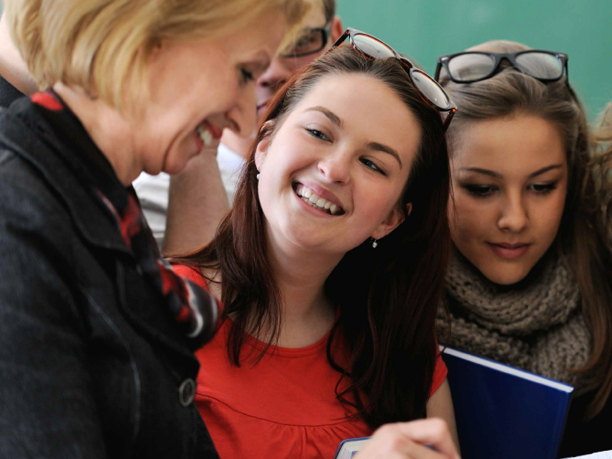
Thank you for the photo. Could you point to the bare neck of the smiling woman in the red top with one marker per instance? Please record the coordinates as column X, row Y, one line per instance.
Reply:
column 307, row 313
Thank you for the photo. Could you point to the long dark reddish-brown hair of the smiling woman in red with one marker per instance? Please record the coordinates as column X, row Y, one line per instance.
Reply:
column 386, row 298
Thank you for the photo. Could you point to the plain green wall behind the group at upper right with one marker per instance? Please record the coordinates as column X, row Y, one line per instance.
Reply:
column 425, row 29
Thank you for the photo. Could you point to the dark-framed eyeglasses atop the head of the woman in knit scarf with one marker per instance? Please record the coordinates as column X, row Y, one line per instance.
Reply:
column 472, row 66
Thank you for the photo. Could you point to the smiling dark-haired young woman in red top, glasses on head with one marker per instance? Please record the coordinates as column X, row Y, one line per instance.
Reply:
column 329, row 268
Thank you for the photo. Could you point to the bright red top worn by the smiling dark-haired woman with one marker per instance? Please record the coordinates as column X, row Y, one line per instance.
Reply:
column 285, row 406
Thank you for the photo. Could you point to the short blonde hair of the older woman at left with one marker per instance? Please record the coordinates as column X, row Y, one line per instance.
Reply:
column 103, row 46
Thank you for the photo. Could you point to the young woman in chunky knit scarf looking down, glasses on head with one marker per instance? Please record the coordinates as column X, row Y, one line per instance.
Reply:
column 530, row 281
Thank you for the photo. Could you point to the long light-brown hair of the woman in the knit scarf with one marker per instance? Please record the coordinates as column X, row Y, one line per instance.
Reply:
column 581, row 241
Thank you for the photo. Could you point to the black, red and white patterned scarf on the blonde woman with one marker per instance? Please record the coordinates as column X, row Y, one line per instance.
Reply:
column 193, row 309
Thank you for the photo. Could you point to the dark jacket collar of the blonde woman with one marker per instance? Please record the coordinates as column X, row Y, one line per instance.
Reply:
column 70, row 162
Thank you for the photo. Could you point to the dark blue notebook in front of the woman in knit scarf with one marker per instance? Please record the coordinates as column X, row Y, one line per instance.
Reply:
column 503, row 412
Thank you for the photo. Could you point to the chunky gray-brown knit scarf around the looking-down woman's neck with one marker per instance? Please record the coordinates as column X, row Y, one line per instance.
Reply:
column 536, row 325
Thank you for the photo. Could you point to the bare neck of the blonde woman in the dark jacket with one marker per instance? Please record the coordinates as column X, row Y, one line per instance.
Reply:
column 107, row 128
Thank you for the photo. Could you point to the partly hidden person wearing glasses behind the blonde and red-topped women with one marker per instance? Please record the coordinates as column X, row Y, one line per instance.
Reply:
column 202, row 195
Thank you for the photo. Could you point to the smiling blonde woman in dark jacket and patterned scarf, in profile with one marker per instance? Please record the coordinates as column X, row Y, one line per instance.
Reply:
column 97, row 333
